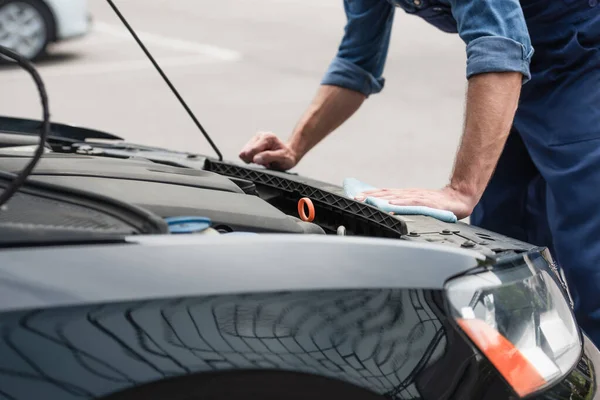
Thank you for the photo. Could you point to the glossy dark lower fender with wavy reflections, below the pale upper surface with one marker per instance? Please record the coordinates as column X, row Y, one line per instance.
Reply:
column 395, row 343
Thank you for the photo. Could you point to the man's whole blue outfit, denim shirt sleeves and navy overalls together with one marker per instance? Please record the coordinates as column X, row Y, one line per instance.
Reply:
column 543, row 189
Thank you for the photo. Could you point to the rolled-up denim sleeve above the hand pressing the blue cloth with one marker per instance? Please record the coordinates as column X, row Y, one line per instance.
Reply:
column 496, row 35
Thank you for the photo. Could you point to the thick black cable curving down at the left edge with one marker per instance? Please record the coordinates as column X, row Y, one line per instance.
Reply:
column 45, row 132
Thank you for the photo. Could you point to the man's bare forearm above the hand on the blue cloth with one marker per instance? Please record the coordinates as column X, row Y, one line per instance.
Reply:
column 492, row 100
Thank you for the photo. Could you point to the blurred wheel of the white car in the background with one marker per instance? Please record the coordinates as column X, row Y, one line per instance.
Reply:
column 38, row 15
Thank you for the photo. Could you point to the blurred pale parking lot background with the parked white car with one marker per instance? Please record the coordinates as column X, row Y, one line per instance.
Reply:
column 242, row 66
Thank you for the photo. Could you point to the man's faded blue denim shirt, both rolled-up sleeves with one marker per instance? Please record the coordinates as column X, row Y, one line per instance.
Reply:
column 494, row 31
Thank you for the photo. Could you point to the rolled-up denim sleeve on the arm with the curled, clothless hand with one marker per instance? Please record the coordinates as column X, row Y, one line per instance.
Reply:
column 362, row 53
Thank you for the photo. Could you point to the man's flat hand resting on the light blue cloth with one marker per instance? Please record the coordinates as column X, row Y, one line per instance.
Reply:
column 448, row 199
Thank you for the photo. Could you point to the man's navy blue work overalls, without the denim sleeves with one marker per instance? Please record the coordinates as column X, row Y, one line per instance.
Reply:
column 544, row 189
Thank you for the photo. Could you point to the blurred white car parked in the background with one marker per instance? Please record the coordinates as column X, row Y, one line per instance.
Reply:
column 29, row 26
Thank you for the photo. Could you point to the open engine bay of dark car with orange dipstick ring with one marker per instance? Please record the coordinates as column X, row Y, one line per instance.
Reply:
column 172, row 187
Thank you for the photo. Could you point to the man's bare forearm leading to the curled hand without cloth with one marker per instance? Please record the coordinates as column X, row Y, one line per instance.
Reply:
column 331, row 107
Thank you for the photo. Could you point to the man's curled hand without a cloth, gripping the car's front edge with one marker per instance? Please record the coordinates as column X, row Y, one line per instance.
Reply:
column 266, row 149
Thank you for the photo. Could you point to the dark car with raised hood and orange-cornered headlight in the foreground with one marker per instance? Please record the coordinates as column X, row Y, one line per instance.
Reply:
column 130, row 272
